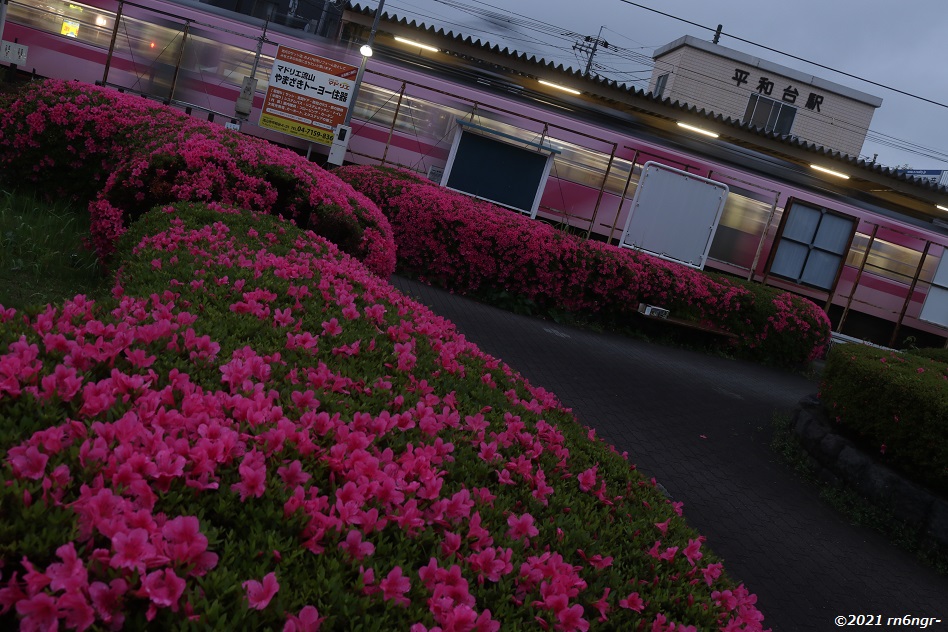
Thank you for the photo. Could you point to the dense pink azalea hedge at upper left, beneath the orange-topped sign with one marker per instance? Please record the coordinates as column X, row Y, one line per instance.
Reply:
column 128, row 154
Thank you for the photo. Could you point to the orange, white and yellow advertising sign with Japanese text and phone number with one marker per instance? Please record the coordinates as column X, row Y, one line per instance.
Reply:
column 307, row 96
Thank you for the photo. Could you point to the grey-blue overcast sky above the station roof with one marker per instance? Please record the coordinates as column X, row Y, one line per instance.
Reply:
column 886, row 49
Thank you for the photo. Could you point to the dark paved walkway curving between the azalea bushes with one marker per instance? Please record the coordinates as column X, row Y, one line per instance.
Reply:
column 803, row 560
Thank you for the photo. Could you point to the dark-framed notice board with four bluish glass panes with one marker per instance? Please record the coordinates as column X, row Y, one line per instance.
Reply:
column 811, row 246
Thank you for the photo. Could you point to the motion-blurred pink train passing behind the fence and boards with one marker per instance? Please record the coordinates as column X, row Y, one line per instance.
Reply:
column 874, row 262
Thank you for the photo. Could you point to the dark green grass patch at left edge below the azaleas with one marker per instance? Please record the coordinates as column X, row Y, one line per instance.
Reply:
column 43, row 256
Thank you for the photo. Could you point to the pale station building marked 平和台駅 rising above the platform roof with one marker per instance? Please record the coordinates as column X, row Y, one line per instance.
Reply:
column 763, row 94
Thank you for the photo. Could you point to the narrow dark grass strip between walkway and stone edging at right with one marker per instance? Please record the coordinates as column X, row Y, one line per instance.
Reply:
column 849, row 503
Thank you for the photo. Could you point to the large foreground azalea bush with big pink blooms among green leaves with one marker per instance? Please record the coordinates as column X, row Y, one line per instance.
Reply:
column 259, row 433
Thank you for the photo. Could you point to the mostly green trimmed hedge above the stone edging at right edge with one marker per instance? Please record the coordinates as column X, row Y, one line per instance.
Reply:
column 905, row 422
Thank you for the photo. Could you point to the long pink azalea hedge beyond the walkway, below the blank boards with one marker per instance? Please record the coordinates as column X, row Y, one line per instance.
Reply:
column 472, row 246
